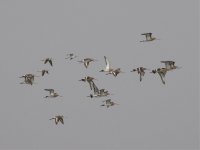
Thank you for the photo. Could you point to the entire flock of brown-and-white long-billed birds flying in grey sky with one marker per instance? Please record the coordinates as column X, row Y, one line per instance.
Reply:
column 169, row 66
